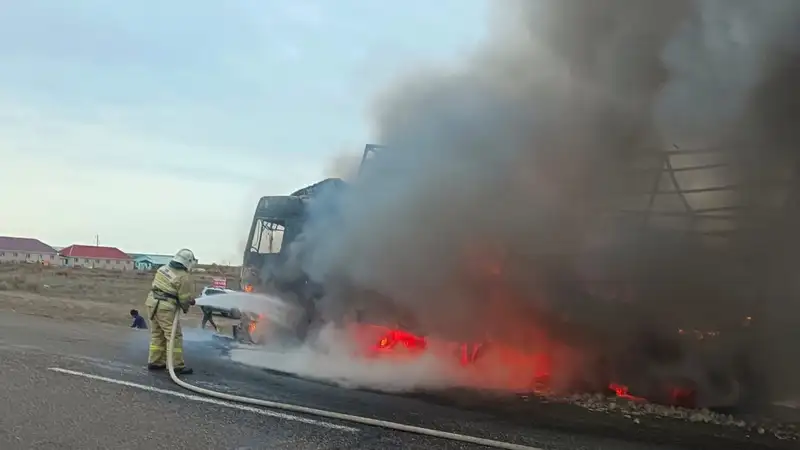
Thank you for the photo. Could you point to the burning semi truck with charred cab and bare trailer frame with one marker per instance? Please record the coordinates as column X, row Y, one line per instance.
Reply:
column 688, row 355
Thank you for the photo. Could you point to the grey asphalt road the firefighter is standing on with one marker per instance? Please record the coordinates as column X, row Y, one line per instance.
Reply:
column 82, row 386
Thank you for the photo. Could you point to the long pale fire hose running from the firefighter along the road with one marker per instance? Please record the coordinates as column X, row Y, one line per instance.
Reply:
column 323, row 413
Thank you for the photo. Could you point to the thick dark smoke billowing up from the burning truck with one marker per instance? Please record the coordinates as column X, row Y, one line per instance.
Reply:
column 515, row 194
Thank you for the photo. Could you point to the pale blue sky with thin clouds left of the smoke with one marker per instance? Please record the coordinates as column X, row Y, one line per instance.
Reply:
column 158, row 124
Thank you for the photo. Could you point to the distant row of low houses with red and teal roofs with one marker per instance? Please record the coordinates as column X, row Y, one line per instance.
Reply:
column 31, row 250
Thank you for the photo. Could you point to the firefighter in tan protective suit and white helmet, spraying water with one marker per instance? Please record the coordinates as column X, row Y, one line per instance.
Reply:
column 172, row 288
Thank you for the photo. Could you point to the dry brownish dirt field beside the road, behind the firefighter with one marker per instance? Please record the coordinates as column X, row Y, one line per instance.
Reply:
column 79, row 294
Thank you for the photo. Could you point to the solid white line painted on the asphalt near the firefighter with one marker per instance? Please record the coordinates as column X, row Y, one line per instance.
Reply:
column 212, row 401
